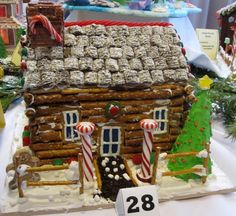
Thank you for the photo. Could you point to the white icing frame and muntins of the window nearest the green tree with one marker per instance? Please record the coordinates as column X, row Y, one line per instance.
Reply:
column 160, row 120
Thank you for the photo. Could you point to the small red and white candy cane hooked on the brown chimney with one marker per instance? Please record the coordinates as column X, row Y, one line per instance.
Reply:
column 46, row 24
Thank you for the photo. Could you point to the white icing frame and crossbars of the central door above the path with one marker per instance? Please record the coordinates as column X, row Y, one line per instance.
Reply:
column 110, row 143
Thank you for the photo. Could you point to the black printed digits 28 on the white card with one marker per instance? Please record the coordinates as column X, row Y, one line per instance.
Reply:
column 147, row 204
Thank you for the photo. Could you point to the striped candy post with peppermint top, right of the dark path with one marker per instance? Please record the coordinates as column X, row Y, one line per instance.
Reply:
column 148, row 125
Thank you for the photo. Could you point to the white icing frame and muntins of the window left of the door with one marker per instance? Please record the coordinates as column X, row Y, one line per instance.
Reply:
column 71, row 125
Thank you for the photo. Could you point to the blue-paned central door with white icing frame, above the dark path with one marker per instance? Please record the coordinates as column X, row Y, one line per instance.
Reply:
column 110, row 141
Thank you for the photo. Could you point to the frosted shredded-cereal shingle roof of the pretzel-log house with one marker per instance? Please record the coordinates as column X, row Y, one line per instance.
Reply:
column 109, row 56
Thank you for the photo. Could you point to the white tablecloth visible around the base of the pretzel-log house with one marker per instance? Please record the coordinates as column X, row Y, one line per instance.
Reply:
column 223, row 152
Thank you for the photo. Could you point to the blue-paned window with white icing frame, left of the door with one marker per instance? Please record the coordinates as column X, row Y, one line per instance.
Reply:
column 71, row 118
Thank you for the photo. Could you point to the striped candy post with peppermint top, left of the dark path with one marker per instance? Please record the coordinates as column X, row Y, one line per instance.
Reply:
column 85, row 129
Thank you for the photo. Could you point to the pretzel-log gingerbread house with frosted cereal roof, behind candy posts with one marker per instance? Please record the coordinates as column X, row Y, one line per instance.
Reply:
column 112, row 74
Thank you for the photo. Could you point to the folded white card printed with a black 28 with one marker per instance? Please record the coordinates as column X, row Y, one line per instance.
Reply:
column 137, row 201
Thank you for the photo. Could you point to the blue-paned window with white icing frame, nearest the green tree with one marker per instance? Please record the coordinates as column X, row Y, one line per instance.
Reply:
column 161, row 116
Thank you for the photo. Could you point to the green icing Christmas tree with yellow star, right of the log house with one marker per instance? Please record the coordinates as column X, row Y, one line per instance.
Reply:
column 195, row 136
